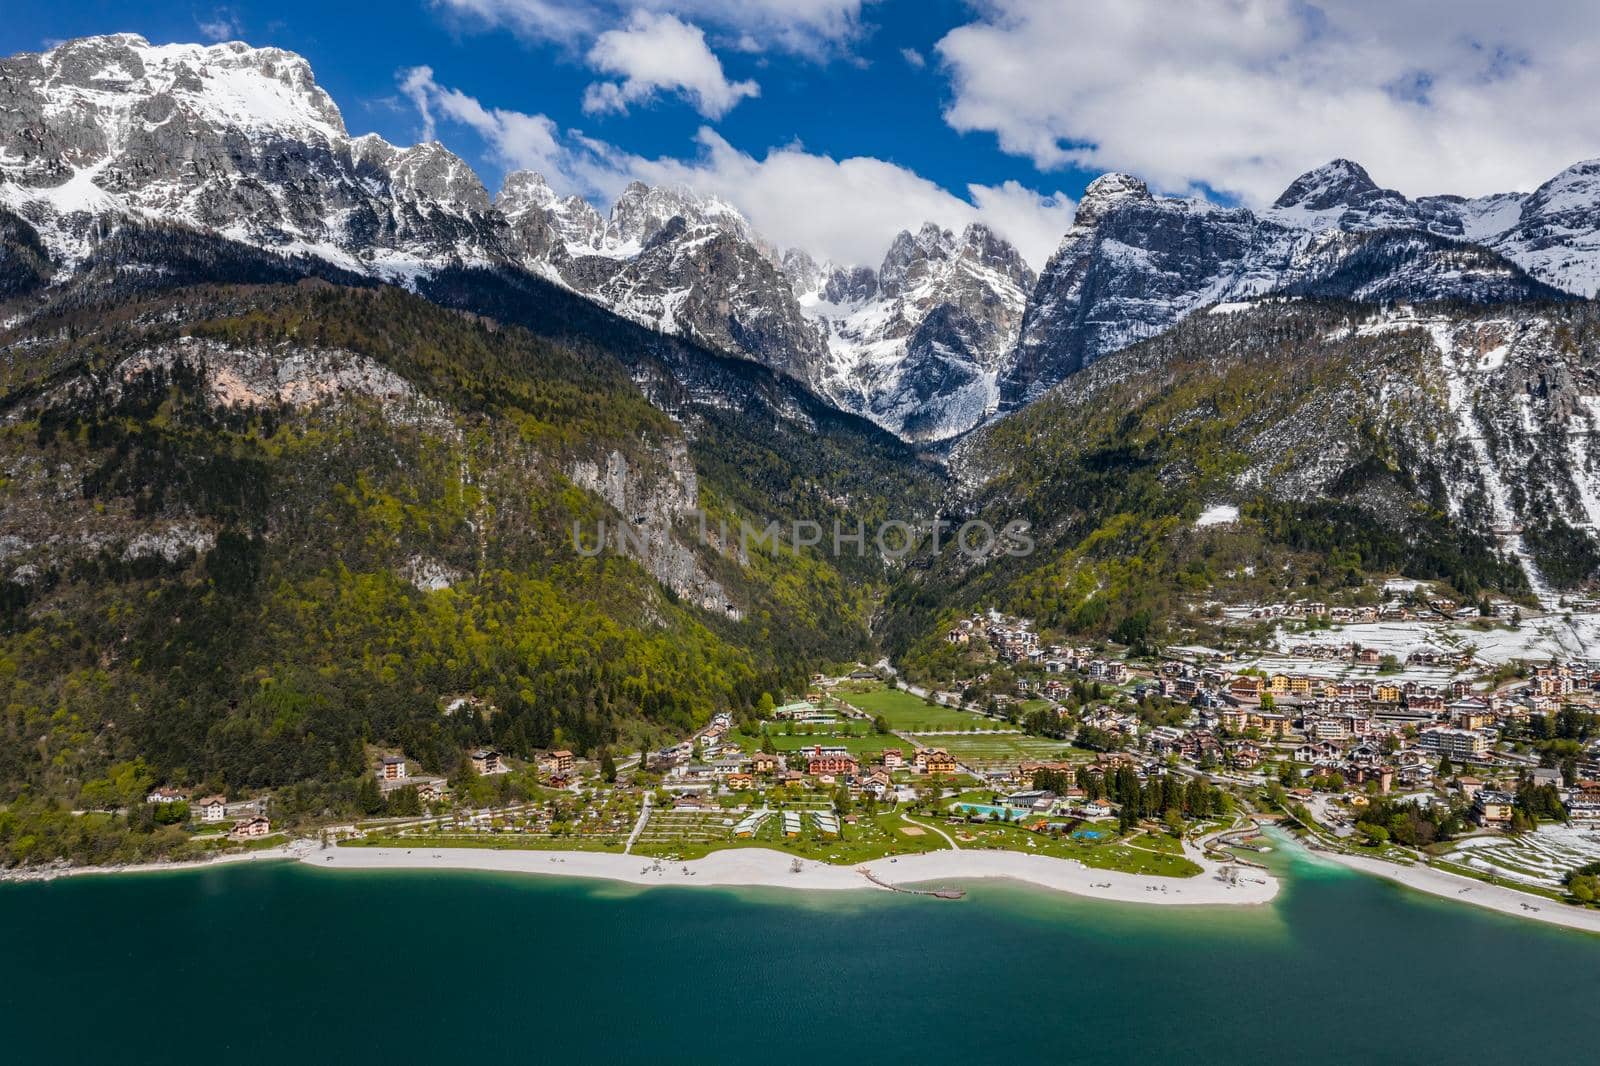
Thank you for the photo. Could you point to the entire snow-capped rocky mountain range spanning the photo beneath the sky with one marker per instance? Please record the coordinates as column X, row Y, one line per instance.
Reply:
column 950, row 327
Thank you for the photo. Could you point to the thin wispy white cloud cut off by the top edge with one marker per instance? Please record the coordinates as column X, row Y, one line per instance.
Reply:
column 809, row 28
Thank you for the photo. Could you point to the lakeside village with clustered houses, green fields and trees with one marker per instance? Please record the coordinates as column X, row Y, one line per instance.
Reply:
column 1138, row 764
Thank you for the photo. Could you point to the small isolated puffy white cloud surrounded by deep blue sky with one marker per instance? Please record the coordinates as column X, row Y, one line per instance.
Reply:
column 655, row 54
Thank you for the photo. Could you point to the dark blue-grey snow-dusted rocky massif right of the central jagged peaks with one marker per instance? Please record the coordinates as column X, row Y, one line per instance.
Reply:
column 1134, row 265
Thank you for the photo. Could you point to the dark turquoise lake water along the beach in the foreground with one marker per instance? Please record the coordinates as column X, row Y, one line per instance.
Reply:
column 284, row 963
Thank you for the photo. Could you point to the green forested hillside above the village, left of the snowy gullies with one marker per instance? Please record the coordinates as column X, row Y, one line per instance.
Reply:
column 1329, row 447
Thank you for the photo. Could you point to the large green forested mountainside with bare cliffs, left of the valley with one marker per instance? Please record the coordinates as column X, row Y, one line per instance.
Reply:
column 247, row 596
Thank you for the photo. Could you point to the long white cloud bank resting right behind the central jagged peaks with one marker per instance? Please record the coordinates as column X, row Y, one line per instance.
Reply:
column 846, row 210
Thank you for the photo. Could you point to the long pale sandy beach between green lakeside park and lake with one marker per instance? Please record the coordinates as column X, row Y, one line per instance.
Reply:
column 774, row 870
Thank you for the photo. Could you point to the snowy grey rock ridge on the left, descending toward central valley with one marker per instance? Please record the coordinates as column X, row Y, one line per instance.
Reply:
column 241, row 142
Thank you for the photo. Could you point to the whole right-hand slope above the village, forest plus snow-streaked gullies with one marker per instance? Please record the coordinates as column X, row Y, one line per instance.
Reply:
column 1447, row 443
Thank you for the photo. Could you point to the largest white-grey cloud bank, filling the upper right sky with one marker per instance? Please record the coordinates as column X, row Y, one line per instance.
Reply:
column 1244, row 95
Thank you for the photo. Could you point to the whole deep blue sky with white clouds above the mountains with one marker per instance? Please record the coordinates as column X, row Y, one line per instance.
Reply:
column 834, row 124
